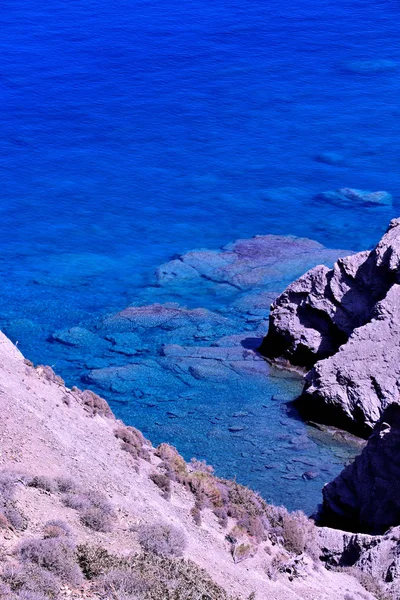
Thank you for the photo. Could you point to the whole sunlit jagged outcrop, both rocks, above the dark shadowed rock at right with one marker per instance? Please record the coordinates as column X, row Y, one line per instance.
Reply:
column 344, row 325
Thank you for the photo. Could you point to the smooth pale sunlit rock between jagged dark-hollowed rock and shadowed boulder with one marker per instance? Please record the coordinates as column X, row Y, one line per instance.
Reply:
column 354, row 386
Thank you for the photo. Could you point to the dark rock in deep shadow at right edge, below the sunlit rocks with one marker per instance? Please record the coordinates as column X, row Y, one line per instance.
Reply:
column 365, row 496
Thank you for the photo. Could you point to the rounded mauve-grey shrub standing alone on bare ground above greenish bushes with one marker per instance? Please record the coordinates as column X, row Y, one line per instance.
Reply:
column 162, row 539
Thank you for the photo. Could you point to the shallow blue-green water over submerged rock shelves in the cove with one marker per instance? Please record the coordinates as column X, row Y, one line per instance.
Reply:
column 192, row 376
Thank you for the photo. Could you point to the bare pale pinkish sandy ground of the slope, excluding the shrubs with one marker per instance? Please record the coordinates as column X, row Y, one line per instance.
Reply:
column 44, row 429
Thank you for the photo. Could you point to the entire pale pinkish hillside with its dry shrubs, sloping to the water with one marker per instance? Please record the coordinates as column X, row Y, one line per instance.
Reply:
column 89, row 509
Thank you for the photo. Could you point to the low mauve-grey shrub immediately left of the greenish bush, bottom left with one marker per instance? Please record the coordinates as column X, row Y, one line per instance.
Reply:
column 56, row 555
